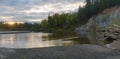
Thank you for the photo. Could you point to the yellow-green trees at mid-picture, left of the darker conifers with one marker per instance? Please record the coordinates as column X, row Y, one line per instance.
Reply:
column 60, row 22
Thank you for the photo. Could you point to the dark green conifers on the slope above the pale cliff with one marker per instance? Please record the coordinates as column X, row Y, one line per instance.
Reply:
column 93, row 8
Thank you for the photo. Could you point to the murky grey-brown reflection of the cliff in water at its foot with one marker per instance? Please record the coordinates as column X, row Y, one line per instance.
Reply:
column 95, row 38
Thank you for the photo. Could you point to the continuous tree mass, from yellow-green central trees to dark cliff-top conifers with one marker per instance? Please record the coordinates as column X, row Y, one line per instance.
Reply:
column 69, row 21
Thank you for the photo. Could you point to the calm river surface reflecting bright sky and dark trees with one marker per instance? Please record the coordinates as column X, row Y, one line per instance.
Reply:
column 33, row 40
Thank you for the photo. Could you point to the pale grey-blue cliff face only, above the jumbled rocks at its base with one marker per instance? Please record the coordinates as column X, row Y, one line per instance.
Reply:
column 108, row 18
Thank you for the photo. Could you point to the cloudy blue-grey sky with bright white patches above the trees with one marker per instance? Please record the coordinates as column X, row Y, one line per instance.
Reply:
column 35, row 10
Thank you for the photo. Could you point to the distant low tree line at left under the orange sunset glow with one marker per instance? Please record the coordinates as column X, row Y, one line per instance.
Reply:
column 20, row 27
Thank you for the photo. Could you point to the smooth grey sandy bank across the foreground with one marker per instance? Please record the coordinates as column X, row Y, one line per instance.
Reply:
column 69, row 52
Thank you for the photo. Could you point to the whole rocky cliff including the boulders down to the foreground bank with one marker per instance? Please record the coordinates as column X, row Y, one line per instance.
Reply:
column 104, row 26
